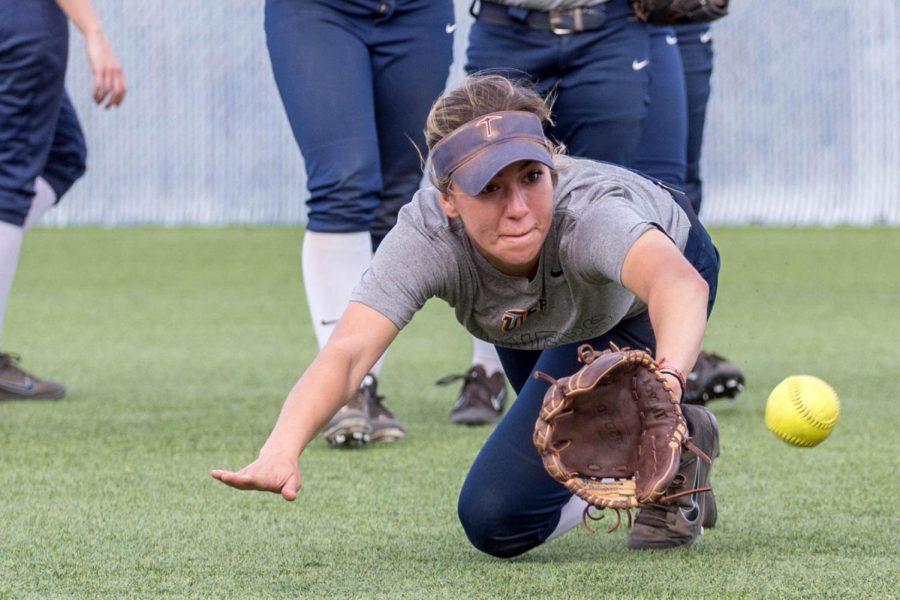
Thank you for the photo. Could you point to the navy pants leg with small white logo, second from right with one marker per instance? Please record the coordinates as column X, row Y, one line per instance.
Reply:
column 661, row 153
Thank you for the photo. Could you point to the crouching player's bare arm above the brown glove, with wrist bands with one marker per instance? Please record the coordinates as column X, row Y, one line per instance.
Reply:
column 675, row 294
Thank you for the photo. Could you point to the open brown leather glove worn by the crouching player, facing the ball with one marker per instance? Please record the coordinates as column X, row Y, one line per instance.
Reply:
column 613, row 432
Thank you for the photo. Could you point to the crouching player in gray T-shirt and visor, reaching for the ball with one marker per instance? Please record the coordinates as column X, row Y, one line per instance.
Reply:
column 538, row 253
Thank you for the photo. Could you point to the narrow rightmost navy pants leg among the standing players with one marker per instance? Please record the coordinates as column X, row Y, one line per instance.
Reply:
column 695, row 46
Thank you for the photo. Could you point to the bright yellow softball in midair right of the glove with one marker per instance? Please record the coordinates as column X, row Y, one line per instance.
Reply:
column 802, row 410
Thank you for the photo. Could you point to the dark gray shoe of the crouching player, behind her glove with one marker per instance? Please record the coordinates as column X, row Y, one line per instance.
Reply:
column 661, row 526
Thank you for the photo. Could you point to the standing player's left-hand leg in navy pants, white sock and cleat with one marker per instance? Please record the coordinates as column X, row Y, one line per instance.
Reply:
column 333, row 121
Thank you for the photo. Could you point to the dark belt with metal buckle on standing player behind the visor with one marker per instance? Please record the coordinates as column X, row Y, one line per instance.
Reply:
column 560, row 22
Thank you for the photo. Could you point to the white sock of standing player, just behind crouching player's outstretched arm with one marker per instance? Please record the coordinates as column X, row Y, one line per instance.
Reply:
column 333, row 263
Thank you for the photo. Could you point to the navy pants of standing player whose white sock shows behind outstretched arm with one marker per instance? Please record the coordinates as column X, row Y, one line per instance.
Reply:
column 357, row 90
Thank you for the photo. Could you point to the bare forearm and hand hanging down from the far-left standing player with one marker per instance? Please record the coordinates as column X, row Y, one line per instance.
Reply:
column 109, row 80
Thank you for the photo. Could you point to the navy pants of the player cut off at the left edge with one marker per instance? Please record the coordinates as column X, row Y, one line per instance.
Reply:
column 39, row 130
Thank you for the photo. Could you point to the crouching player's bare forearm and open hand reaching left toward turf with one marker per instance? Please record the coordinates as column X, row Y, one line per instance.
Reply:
column 360, row 338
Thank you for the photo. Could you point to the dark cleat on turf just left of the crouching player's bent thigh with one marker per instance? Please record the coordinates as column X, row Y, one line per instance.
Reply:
column 481, row 400
